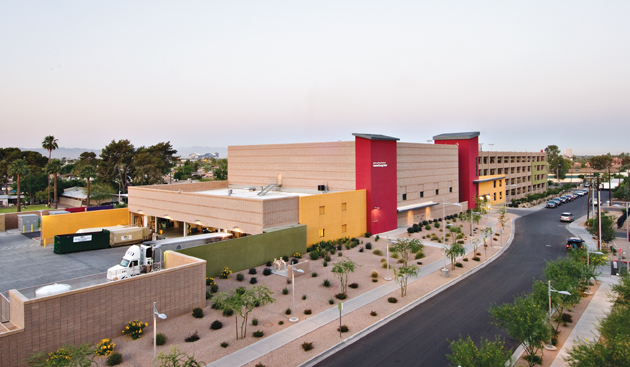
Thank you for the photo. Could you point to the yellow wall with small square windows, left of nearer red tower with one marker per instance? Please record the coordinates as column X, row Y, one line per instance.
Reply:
column 334, row 217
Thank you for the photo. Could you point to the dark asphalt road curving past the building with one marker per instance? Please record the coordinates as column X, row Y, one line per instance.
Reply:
column 420, row 336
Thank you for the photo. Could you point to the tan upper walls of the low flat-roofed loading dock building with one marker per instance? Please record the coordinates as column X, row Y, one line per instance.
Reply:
column 249, row 215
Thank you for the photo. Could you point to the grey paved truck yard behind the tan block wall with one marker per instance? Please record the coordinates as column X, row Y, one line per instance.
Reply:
column 24, row 263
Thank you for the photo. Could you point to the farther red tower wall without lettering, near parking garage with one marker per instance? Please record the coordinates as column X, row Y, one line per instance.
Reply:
column 468, row 152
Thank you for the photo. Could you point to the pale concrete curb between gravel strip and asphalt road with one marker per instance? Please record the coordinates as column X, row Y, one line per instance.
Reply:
column 352, row 339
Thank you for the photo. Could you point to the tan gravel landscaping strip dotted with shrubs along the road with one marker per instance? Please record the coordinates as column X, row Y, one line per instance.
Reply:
column 208, row 349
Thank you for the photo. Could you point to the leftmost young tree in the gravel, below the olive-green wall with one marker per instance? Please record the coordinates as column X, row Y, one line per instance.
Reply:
column 243, row 302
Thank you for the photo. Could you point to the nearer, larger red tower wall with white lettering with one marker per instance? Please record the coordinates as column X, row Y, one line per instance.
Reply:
column 379, row 182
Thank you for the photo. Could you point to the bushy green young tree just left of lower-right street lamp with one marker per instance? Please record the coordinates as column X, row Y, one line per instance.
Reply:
column 524, row 321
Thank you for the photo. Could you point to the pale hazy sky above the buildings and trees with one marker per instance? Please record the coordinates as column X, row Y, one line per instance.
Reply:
column 525, row 74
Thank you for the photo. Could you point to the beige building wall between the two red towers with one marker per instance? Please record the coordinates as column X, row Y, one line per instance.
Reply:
column 426, row 168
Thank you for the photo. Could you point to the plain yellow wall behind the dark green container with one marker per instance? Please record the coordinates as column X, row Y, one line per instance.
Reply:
column 53, row 225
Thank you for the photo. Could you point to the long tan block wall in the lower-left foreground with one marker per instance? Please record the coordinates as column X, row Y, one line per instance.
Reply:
column 102, row 311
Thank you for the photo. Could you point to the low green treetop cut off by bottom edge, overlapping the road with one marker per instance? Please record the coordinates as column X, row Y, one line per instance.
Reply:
column 465, row 353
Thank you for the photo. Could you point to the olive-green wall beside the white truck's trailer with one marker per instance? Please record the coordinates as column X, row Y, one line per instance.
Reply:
column 246, row 252
